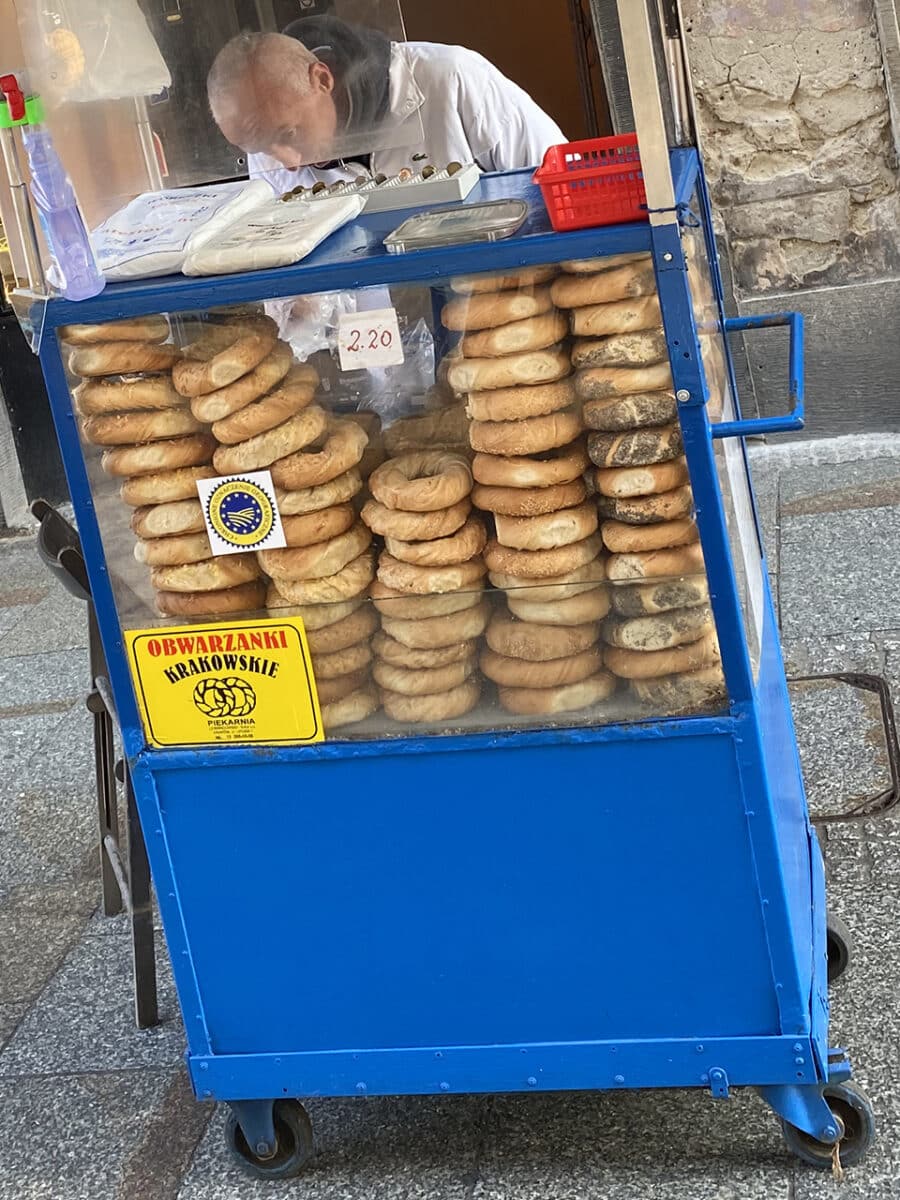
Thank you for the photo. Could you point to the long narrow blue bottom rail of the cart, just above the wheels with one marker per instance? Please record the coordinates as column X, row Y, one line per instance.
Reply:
column 507, row 1069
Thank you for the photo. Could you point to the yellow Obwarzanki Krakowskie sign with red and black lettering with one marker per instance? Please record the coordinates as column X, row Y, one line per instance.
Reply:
column 241, row 681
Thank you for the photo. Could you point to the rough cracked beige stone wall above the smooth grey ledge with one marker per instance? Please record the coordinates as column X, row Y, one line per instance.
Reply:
column 799, row 141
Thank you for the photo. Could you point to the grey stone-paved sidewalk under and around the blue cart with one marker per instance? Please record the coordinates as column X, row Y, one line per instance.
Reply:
column 97, row 1111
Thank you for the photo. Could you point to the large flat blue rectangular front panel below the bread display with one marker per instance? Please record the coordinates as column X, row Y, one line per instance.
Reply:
column 555, row 893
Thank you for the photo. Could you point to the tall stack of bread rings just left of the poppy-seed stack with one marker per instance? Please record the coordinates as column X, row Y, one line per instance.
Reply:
column 529, row 437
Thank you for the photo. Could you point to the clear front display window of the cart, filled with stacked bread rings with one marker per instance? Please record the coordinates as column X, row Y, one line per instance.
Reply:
column 476, row 500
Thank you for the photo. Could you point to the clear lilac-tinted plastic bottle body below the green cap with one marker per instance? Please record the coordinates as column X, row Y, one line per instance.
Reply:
column 75, row 271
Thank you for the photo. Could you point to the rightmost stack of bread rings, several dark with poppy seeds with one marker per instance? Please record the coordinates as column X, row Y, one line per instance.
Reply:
column 662, row 637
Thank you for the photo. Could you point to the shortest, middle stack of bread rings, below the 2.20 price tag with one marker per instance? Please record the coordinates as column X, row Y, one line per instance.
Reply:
column 430, row 586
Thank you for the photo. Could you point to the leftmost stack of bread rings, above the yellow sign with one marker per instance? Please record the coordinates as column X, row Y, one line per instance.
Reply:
column 154, row 442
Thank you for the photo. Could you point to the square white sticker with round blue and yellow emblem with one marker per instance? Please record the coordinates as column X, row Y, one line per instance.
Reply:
column 242, row 513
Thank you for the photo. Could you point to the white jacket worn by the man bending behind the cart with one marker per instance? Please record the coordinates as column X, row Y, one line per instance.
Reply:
column 449, row 105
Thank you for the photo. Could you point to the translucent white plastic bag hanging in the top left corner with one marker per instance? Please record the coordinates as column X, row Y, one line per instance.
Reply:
column 91, row 50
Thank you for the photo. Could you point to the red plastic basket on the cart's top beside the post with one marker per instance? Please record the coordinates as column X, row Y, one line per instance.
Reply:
column 593, row 183
